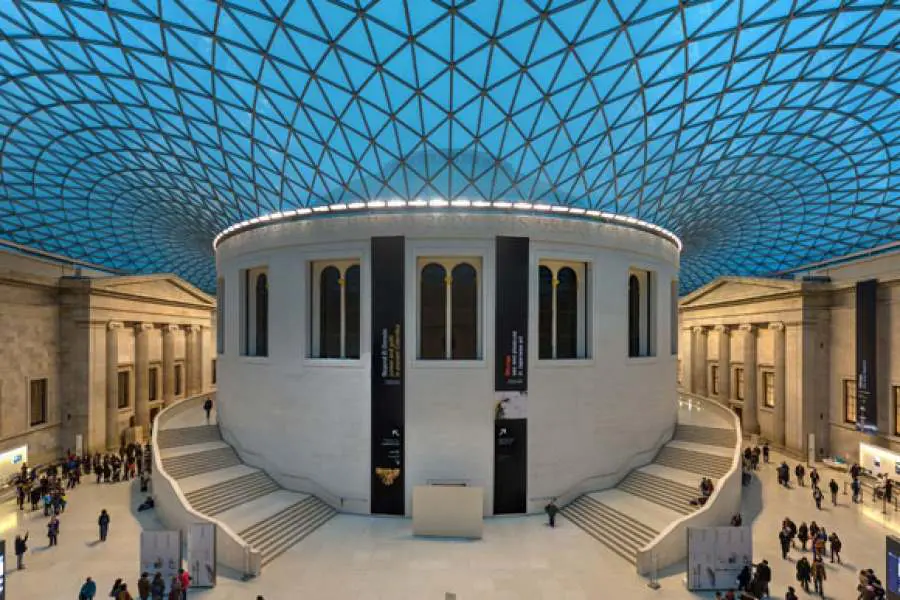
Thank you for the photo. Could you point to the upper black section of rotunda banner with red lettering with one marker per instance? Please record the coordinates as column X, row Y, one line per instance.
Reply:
column 510, row 366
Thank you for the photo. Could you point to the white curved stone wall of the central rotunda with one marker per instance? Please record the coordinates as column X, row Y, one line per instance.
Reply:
column 308, row 420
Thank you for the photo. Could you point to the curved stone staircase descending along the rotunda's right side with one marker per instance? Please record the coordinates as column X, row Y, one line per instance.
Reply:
column 629, row 516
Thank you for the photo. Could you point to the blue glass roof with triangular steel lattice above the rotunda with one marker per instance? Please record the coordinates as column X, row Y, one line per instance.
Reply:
column 764, row 133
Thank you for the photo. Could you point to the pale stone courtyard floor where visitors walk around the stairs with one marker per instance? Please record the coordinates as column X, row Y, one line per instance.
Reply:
column 376, row 558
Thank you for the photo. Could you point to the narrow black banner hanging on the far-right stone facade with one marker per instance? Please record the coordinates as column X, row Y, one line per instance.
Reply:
column 866, row 341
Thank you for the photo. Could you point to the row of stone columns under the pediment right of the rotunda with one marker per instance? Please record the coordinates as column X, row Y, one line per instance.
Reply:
column 700, row 377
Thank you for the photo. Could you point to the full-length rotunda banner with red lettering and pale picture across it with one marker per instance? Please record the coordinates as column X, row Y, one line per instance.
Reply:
column 511, row 376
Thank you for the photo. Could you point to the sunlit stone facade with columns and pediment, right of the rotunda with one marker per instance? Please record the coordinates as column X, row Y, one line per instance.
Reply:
column 781, row 353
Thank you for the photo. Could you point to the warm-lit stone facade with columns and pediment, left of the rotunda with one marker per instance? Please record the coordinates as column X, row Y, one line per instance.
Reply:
column 78, row 330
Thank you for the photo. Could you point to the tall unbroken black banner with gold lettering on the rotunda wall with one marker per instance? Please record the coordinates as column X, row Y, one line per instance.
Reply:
column 388, row 490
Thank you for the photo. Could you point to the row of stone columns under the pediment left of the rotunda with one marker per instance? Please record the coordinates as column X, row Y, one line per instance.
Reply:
column 192, row 376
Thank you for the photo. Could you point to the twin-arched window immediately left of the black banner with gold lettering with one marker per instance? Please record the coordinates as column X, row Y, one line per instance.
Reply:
column 335, row 315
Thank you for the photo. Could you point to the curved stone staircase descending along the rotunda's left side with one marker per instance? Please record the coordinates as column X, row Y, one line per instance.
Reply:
column 216, row 483
